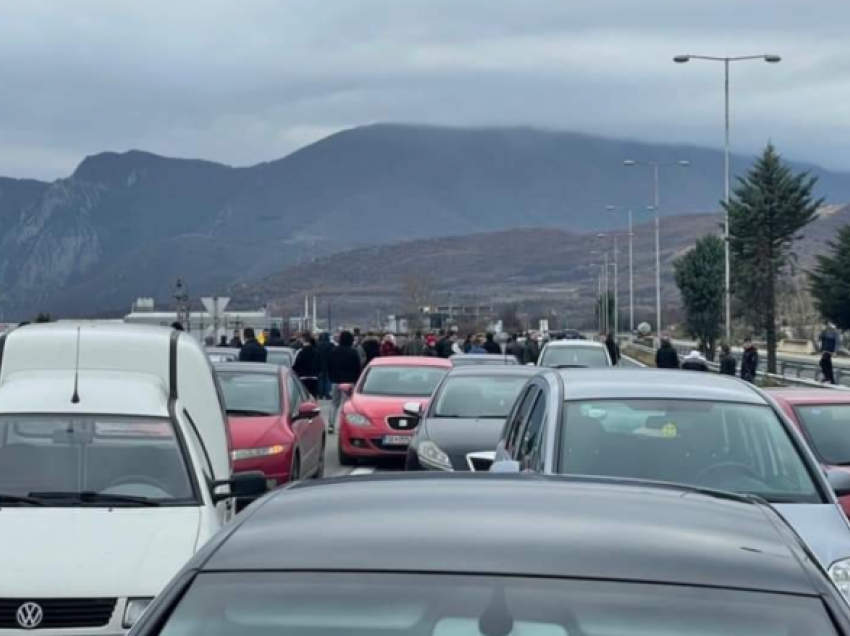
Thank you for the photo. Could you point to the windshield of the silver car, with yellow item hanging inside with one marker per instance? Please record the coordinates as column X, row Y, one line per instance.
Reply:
column 736, row 447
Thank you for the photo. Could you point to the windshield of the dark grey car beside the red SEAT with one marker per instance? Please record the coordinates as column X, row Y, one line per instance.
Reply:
column 478, row 397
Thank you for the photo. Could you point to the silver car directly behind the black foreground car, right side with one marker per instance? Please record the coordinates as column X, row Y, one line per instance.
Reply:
column 697, row 429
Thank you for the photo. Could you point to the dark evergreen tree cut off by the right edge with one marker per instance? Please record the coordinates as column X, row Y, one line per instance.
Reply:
column 831, row 281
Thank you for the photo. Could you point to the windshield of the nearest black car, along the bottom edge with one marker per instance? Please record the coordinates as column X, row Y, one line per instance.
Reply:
column 331, row 604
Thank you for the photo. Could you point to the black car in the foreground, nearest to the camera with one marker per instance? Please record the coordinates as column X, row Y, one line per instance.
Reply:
column 455, row 555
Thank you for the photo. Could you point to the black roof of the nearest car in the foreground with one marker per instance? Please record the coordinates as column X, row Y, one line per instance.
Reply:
column 519, row 525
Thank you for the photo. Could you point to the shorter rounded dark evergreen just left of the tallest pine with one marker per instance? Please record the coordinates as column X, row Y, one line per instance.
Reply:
column 700, row 276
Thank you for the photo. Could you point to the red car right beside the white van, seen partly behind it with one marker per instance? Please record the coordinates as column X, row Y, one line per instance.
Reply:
column 275, row 427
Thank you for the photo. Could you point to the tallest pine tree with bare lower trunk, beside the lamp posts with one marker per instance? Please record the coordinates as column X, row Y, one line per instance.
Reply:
column 770, row 206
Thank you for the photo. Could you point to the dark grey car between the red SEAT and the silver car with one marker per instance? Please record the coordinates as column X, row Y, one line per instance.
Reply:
column 461, row 428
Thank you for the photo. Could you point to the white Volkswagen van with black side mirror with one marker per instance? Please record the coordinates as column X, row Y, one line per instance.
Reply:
column 114, row 470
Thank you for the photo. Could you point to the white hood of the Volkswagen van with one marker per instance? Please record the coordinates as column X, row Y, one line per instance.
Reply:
column 94, row 552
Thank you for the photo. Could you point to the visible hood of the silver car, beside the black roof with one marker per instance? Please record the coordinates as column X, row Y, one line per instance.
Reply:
column 823, row 527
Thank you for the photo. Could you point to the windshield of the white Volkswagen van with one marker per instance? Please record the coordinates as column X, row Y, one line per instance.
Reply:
column 60, row 458
